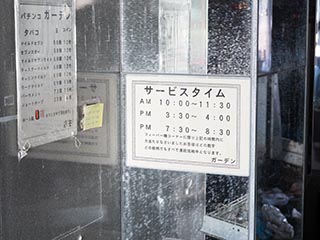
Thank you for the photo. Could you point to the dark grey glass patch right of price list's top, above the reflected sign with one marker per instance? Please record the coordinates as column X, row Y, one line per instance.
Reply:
column 98, row 35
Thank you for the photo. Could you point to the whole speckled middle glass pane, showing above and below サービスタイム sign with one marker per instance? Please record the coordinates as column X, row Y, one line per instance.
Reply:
column 155, row 41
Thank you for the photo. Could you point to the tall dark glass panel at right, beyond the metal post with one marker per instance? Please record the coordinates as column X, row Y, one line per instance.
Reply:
column 281, row 121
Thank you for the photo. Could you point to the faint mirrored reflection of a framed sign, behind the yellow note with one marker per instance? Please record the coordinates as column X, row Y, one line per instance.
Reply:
column 98, row 145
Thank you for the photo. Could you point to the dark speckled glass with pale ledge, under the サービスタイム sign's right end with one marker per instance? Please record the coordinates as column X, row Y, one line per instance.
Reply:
column 227, row 207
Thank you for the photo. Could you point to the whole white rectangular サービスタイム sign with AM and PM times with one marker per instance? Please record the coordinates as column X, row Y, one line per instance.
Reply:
column 188, row 123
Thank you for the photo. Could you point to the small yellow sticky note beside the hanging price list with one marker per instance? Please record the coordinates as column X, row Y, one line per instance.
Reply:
column 93, row 116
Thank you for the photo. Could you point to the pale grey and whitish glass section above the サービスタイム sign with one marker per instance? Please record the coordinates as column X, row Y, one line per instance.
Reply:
column 168, row 36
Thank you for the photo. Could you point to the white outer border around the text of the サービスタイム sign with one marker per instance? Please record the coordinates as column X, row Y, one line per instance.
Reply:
column 158, row 162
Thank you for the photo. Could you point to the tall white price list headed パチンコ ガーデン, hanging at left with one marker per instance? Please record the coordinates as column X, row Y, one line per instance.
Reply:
column 46, row 71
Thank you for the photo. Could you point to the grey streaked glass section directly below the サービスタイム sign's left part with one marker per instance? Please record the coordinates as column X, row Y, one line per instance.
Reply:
column 162, row 204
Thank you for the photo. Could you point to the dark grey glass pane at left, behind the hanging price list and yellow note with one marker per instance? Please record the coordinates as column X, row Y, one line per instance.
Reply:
column 59, row 191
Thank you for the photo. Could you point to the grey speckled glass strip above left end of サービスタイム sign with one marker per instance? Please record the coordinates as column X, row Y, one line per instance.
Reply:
column 140, row 36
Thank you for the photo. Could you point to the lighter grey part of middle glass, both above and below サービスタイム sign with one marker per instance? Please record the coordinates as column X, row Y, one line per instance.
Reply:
column 157, row 38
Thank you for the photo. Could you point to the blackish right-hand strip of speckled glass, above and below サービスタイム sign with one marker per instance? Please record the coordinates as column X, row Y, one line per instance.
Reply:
column 229, row 53
